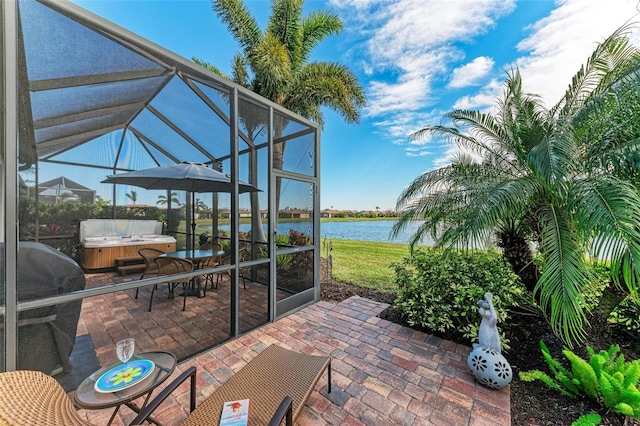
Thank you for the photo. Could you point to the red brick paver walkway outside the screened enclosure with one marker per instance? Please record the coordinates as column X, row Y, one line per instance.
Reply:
column 383, row 373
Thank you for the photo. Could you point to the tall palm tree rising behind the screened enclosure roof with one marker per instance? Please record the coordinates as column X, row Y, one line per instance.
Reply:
column 274, row 64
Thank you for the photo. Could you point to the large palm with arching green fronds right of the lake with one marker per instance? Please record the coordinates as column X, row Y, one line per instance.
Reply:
column 550, row 178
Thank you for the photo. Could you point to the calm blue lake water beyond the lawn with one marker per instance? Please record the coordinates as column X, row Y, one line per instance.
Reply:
column 366, row 230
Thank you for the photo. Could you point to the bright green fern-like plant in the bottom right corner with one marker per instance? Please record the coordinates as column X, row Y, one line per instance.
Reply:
column 606, row 378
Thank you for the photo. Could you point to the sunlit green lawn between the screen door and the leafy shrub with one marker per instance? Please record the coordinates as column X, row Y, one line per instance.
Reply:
column 364, row 263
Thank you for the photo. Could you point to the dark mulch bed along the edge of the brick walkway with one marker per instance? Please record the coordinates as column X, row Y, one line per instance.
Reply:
column 532, row 404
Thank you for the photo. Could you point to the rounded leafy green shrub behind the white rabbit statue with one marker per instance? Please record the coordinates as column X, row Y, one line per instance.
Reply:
column 441, row 293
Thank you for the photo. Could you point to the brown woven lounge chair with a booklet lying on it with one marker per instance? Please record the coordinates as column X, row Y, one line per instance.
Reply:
column 277, row 380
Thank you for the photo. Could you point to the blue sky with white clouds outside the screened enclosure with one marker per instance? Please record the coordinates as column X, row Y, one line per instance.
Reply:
column 416, row 59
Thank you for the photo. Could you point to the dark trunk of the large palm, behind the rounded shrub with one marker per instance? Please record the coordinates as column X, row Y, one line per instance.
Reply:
column 516, row 251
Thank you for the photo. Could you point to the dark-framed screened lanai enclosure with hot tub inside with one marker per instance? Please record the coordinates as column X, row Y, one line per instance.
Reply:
column 85, row 99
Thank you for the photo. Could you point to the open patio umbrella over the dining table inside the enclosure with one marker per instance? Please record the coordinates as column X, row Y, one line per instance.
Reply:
column 186, row 176
